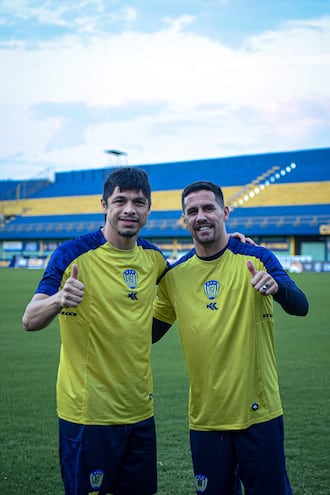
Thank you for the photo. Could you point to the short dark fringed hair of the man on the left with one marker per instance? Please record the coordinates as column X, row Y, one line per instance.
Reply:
column 127, row 178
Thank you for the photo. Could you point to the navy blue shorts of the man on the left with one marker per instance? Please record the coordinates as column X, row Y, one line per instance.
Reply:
column 118, row 459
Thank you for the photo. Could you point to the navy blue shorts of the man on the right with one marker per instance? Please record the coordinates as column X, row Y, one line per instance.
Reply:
column 258, row 451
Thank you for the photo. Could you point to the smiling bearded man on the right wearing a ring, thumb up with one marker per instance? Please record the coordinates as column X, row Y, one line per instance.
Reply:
column 221, row 294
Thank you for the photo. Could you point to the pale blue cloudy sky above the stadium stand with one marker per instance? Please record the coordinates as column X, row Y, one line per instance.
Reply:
column 159, row 81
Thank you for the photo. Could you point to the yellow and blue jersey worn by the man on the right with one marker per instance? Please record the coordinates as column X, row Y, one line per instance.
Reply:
column 226, row 329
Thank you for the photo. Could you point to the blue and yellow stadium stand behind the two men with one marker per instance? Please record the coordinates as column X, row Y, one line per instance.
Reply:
column 282, row 199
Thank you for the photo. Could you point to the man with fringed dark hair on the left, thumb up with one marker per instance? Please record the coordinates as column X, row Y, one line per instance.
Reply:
column 102, row 287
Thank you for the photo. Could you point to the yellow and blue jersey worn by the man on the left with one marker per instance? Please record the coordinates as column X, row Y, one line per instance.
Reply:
column 104, row 374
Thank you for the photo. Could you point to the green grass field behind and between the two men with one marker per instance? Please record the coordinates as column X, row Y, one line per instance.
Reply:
column 28, row 422
